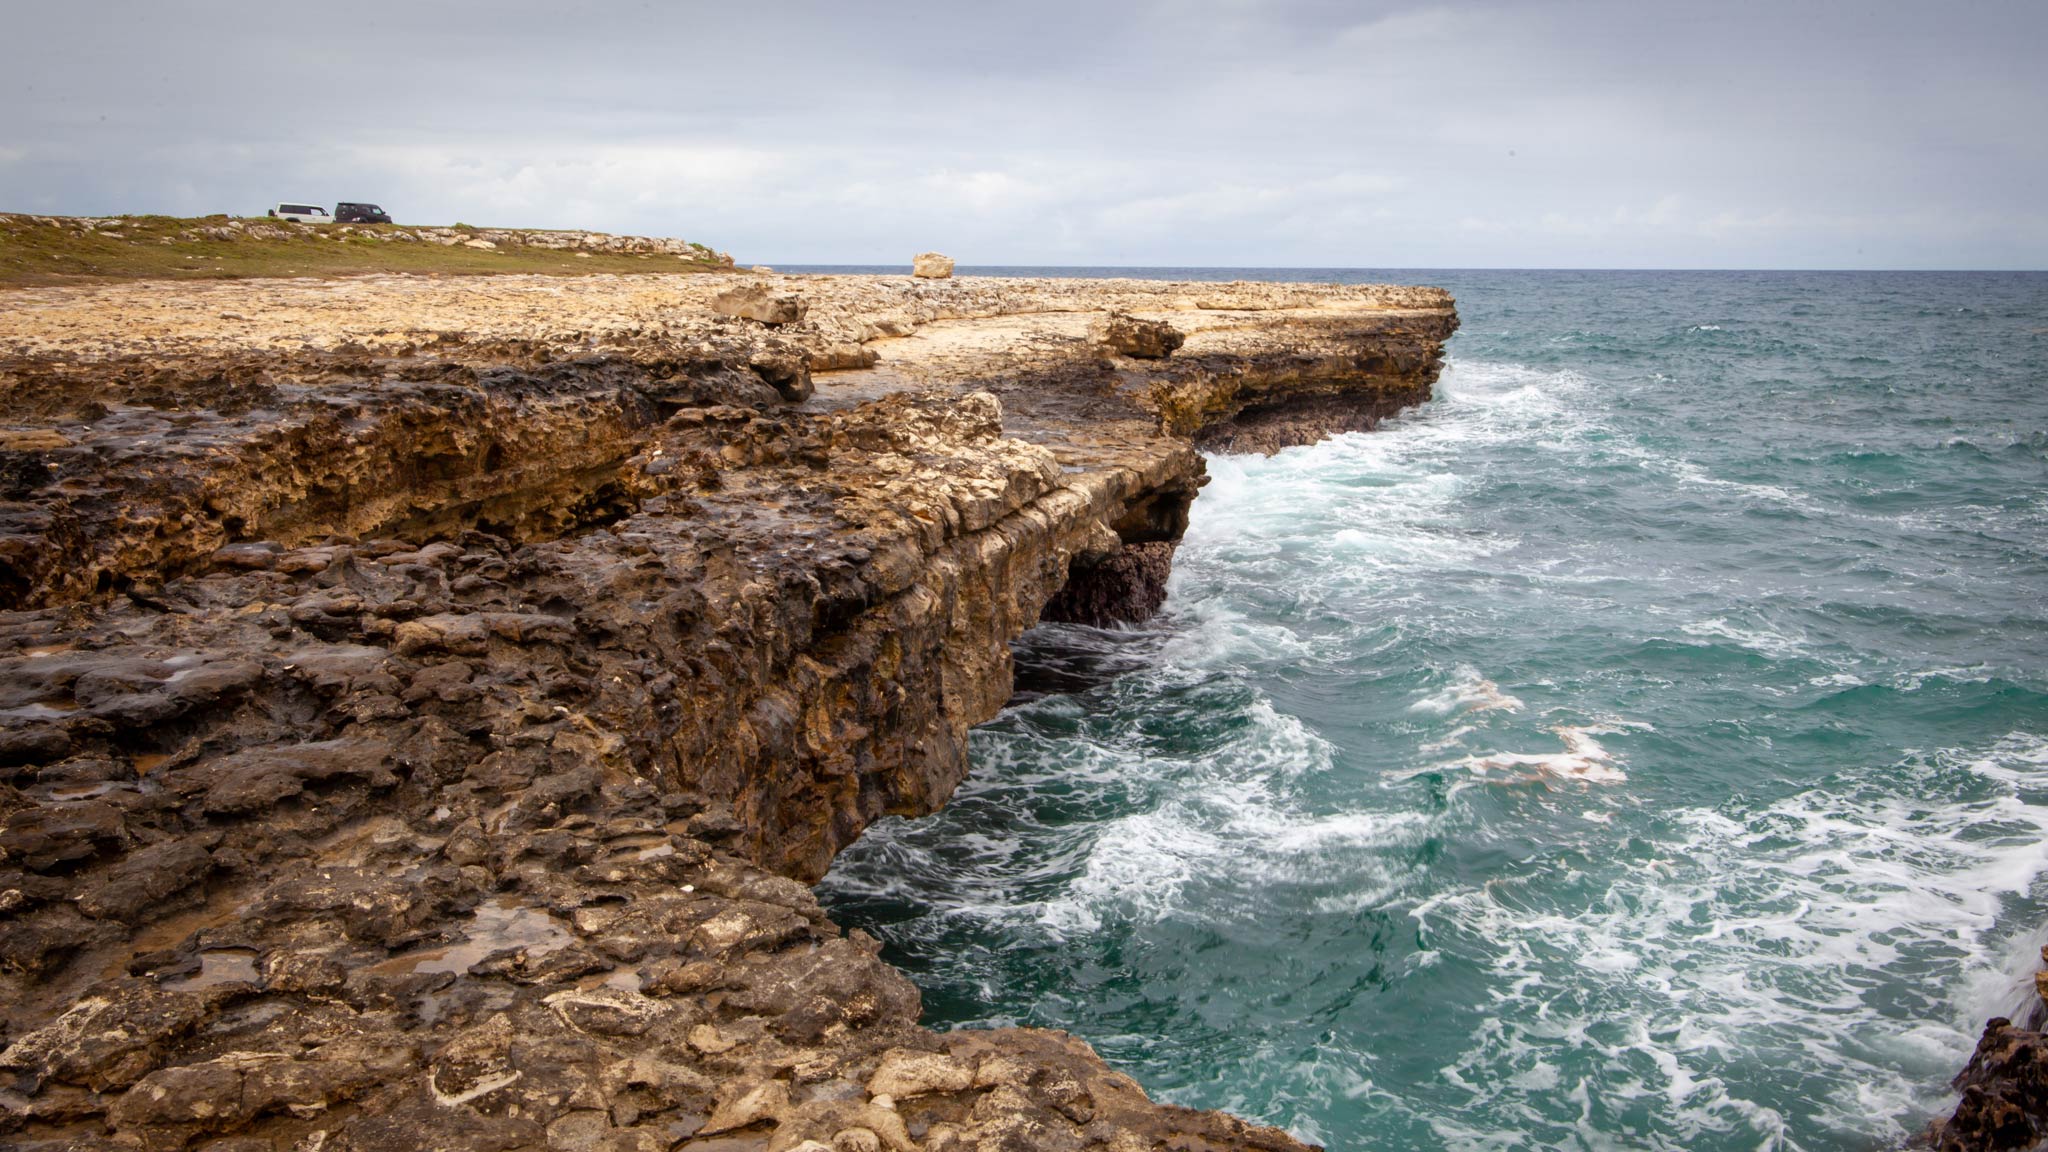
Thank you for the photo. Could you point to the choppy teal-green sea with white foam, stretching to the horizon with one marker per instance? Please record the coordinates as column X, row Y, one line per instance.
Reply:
column 1646, row 745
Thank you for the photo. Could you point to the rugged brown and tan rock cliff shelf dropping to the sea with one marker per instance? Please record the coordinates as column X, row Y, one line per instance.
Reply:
column 425, row 702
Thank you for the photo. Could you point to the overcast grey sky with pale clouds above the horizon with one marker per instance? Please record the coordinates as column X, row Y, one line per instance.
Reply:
column 1041, row 132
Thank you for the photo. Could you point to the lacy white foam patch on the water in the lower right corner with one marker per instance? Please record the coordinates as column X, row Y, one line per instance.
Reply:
column 1764, row 940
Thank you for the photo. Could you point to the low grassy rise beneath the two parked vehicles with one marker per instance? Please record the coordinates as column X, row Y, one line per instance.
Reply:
column 54, row 249
